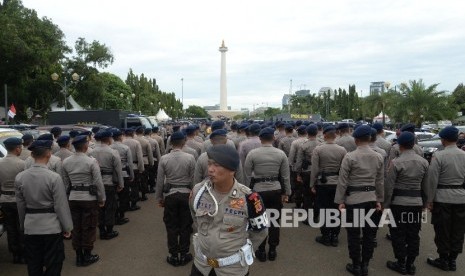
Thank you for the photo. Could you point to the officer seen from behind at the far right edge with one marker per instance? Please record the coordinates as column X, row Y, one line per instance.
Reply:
column 446, row 200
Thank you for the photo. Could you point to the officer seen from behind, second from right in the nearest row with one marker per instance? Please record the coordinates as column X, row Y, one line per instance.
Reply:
column 405, row 182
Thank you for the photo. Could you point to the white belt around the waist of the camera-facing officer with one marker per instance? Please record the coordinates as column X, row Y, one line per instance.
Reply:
column 244, row 256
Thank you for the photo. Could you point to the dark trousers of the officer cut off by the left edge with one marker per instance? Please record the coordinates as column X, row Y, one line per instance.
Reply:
column 13, row 230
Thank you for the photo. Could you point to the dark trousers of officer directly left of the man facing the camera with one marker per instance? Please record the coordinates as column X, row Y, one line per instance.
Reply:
column 178, row 222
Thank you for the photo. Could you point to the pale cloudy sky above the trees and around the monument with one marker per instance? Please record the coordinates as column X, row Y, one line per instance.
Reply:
column 313, row 43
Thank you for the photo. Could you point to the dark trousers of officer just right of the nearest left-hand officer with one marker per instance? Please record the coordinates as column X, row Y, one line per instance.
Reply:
column 85, row 217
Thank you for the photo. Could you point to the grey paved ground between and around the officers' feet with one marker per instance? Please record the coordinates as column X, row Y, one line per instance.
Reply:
column 141, row 250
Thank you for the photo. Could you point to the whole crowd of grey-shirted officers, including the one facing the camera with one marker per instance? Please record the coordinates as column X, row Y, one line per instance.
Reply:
column 61, row 186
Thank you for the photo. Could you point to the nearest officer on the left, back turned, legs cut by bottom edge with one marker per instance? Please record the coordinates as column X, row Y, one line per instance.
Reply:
column 44, row 213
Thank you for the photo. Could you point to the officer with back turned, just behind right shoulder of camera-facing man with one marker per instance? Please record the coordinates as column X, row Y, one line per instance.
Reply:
column 267, row 170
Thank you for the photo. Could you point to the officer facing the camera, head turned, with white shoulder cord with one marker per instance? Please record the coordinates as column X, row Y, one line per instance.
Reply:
column 230, row 218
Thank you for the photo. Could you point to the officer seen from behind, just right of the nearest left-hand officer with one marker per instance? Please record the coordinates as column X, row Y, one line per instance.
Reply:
column 81, row 175
